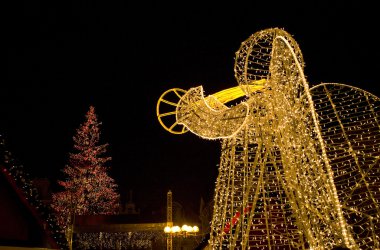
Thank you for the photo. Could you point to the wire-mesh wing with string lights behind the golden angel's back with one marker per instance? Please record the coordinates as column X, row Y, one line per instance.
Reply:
column 349, row 118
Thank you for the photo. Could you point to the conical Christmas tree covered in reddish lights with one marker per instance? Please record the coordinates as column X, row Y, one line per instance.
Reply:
column 88, row 189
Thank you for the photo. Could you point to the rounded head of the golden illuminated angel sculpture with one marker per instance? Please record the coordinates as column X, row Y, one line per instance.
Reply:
column 262, row 54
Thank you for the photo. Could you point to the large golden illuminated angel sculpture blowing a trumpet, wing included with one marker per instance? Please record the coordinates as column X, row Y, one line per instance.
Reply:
column 300, row 166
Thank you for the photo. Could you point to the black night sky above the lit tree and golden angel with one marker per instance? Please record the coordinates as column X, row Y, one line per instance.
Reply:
column 63, row 56
